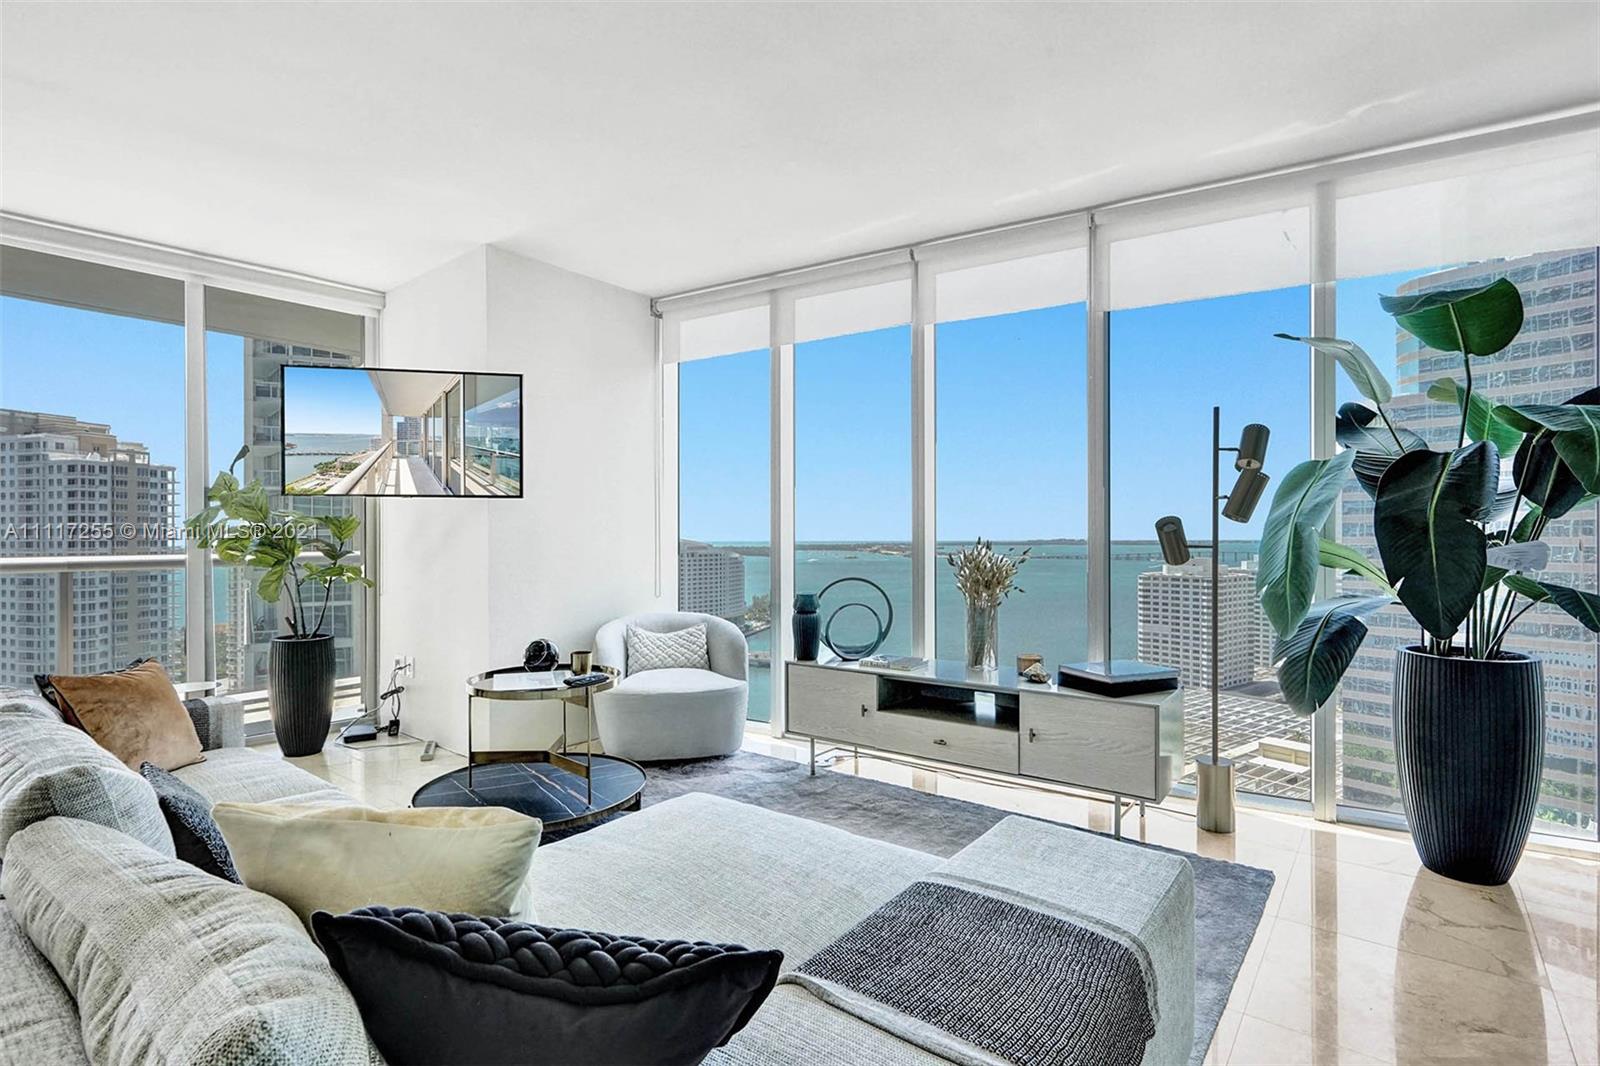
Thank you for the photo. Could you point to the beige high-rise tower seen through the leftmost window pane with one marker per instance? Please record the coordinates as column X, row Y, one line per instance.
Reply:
column 73, row 489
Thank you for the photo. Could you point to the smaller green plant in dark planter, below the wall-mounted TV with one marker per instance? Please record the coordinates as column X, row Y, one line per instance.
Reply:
column 244, row 531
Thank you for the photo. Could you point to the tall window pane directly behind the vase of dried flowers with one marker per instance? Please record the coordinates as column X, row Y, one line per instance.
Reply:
column 1012, row 446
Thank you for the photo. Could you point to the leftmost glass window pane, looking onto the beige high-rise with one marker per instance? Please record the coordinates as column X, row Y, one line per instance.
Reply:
column 92, row 463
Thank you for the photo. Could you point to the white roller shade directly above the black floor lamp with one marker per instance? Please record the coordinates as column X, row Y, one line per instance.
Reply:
column 1247, row 254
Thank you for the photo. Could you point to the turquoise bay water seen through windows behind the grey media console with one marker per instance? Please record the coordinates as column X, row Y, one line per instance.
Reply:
column 1049, row 615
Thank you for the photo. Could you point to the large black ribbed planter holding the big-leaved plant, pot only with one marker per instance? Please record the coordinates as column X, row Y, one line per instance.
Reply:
column 1470, row 745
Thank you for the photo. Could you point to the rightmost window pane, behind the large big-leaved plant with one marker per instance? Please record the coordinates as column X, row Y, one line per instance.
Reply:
column 1423, row 231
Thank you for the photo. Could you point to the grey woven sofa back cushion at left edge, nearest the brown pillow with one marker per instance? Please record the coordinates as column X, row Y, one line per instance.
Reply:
column 52, row 769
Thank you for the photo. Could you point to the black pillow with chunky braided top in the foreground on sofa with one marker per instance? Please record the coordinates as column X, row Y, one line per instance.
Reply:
column 454, row 988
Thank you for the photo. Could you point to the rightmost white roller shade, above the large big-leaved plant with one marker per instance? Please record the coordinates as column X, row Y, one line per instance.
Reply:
column 1513, row 202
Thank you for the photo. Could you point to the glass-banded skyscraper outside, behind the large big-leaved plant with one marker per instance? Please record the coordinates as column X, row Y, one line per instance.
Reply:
column 1550, row 363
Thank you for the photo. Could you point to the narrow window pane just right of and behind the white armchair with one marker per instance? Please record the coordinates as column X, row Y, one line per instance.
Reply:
column 724, row 475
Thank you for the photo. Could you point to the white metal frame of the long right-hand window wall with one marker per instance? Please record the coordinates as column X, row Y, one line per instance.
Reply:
column 1314, row 188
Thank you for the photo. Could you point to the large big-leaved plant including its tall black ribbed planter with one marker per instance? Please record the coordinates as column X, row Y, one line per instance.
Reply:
column 1458, row 542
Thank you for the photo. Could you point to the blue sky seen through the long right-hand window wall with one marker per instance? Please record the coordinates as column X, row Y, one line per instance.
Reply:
column 1012, row 420
